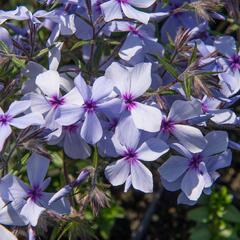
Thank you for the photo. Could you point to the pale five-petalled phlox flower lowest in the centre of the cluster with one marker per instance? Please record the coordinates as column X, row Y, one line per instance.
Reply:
column 129, row 169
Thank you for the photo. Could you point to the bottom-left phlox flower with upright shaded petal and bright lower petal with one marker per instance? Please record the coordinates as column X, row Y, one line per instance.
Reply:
column 31, row 200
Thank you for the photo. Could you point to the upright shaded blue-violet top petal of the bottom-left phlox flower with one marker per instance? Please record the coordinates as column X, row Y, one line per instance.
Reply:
column 37, row 167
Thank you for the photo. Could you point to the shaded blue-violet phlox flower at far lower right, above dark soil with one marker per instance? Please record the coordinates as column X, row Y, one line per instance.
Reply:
column 194, row 173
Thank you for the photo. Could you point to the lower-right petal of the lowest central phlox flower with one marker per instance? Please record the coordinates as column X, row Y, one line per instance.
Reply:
column 141, row 177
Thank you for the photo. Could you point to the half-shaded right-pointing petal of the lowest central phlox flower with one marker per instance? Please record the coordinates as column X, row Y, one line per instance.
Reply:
column 152, row 149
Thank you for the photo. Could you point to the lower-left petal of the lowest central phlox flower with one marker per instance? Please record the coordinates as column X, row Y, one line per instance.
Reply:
column 117, row 172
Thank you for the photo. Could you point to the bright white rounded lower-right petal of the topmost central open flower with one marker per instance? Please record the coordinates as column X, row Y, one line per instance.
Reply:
column 146, row 117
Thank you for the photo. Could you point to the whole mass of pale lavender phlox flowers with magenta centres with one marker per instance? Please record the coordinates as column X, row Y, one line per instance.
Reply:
column 131, row 108
